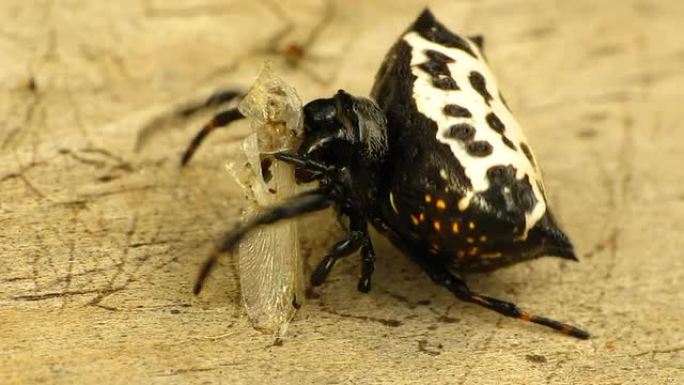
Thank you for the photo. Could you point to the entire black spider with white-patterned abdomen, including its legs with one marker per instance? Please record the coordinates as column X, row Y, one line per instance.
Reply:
column 435, row 162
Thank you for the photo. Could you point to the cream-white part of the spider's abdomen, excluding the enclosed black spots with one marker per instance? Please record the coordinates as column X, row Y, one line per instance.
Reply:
column 431, row 101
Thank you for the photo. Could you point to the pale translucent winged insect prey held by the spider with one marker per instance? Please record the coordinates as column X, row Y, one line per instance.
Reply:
column 269, row 261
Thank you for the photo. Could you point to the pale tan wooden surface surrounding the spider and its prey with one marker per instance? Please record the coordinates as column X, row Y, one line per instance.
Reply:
column 99, row 245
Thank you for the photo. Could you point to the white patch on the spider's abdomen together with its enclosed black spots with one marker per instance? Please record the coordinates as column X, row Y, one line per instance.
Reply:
column 472, row 119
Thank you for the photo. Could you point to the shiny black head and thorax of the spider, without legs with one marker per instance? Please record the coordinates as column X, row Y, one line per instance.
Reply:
column 343, row 131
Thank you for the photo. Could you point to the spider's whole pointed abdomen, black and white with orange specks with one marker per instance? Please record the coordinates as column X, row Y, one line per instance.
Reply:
column 465, row 182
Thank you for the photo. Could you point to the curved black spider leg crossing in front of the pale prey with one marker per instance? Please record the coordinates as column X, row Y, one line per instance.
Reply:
column 300, row 204
